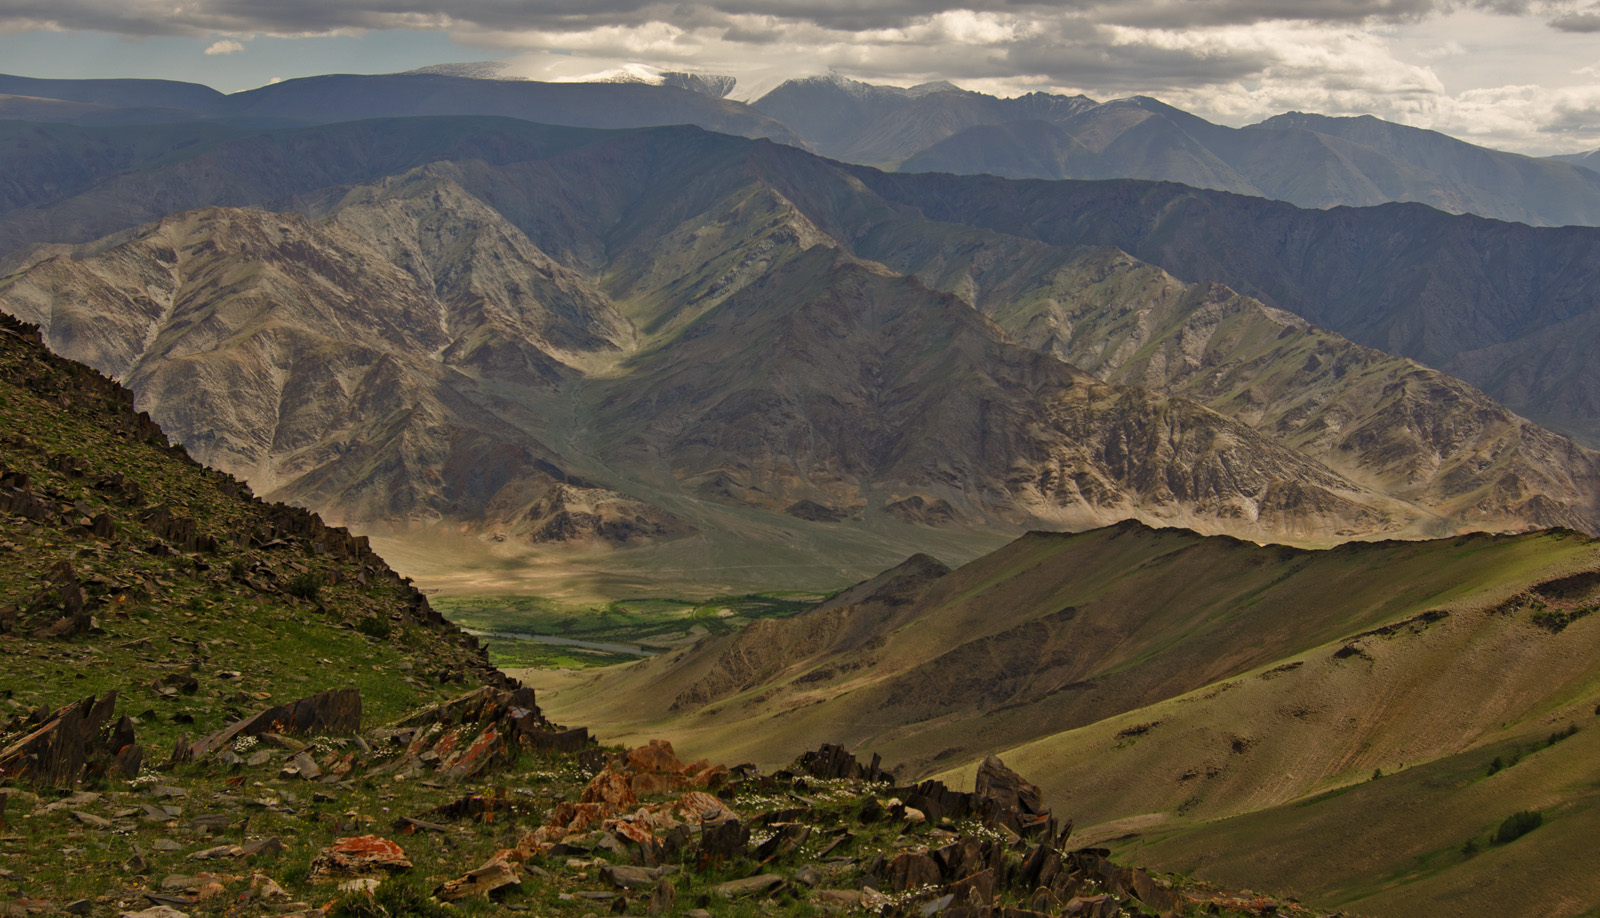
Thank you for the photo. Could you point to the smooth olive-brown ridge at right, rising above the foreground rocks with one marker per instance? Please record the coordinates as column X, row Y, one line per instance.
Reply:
column 1190, row 695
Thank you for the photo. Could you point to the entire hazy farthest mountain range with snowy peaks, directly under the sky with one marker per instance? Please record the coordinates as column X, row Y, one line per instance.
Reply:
column 1310, row 161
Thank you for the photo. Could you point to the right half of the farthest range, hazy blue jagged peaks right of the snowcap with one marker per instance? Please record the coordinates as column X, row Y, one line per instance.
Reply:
column 1310, row 161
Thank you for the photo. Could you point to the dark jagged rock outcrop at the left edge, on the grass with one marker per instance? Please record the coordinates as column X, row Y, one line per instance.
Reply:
column 76, row 743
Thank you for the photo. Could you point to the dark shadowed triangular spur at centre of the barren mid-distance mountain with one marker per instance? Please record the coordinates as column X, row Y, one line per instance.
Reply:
column 874, row 391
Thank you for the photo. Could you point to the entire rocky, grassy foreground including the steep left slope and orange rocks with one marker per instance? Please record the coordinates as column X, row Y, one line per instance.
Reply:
column 226, row 708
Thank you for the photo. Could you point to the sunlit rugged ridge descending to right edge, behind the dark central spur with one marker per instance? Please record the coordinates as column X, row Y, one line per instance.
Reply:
column 1372, row 417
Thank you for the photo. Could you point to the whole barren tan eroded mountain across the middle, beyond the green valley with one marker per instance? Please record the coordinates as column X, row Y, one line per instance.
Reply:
column 598, row 337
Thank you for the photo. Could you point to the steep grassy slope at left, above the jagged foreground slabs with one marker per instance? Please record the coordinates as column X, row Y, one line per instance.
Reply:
column 185, row 572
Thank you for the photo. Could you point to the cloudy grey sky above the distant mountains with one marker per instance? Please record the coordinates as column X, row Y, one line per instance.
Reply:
column 1511, row 74
